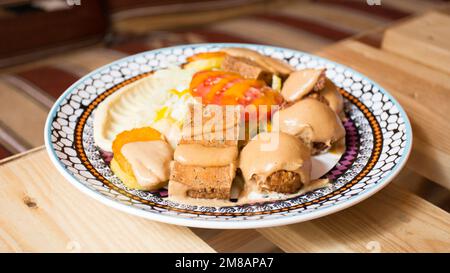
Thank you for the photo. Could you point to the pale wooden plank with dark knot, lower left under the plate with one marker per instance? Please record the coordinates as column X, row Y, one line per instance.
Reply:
column 41, row 212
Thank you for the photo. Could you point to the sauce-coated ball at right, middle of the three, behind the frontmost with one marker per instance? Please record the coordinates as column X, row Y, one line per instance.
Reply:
column 312, row 121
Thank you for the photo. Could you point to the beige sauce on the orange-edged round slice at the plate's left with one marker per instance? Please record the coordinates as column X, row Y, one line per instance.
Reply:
column 149, row 160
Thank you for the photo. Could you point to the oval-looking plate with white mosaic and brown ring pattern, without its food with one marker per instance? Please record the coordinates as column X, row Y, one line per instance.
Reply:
column 378, row 142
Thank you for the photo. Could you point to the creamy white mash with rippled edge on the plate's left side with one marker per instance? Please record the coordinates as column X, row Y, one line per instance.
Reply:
column 159, row 98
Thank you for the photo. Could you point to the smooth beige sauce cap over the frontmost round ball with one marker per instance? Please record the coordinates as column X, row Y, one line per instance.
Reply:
column 264, row 155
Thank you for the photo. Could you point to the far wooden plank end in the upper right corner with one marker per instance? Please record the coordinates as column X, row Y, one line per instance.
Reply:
column 424, row 39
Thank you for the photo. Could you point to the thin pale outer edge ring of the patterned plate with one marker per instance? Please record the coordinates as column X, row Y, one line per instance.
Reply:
column 228, row 224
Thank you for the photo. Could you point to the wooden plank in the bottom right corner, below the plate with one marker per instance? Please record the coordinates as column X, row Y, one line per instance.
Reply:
column 390, row 221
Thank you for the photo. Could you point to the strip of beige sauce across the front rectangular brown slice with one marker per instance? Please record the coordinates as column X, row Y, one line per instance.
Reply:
column 199, row 155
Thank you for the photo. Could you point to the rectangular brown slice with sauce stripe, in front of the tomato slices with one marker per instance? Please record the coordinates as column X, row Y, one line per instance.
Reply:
column 205, row 160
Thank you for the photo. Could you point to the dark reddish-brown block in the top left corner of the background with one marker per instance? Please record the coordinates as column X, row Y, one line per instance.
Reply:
column 36, row 31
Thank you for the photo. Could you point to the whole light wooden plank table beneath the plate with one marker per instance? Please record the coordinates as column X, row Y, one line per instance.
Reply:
column 40, row 212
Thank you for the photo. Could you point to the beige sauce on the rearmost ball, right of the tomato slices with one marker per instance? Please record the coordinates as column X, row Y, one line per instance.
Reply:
column 300, row 83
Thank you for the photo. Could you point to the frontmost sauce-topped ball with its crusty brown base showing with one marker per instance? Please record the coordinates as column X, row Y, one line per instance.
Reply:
column 276, row 162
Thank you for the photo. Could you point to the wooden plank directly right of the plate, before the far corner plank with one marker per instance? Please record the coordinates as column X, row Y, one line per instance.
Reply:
column 423, row 92
